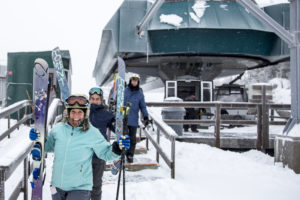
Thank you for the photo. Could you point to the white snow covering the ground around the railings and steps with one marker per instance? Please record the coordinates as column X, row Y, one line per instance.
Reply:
column 202, row 172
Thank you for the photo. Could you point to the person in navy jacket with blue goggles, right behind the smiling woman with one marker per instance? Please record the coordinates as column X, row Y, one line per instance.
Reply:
column 101, row 119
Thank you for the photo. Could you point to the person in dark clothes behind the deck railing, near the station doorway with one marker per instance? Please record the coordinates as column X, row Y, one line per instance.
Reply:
column 191, row 113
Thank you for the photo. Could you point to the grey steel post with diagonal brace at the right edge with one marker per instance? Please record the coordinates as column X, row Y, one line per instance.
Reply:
column 292, row 38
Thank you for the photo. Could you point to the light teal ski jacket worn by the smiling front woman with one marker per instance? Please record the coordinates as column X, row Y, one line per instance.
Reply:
column 73, row 152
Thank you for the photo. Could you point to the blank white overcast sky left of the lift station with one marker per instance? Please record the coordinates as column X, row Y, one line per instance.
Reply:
column 41, row 25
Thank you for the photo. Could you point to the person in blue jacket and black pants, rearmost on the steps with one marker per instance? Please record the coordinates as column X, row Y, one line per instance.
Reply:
column 134, row 96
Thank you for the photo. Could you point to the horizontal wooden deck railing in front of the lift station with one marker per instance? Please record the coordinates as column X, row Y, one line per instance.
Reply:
column 262, row 120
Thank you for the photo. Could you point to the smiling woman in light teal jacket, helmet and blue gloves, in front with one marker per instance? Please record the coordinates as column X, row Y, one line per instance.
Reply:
column 74, row 143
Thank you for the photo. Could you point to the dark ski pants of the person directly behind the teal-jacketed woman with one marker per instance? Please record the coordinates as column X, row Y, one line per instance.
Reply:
column 98, row 169
